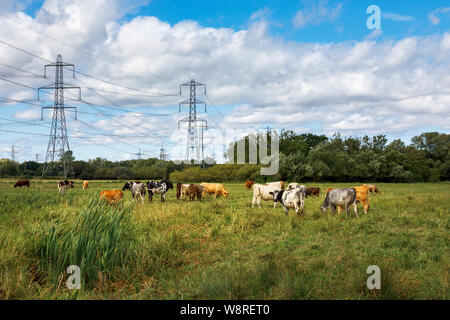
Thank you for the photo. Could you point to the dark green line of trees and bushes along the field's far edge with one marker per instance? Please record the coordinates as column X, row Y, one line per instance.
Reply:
column 302, row 157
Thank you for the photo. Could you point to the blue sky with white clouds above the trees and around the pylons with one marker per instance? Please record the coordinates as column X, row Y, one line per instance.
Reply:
column 308, row 66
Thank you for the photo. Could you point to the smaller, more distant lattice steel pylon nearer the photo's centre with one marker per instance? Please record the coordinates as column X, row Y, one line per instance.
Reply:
column 196, row 125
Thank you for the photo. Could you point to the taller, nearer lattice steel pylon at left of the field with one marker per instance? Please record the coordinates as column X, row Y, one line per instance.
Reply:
column 58, row 143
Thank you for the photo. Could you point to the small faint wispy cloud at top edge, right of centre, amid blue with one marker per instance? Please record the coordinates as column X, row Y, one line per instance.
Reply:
column 315, row 13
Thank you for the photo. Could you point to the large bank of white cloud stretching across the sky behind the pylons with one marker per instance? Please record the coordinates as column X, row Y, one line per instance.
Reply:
column 358, row 87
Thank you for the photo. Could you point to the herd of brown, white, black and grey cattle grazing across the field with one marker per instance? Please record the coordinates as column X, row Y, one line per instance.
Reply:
column 291, row 197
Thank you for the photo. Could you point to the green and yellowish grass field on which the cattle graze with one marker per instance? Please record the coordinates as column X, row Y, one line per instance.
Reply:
column 221, row 249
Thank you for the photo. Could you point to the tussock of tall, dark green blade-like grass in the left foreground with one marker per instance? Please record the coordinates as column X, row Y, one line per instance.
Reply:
column 100, row 241
